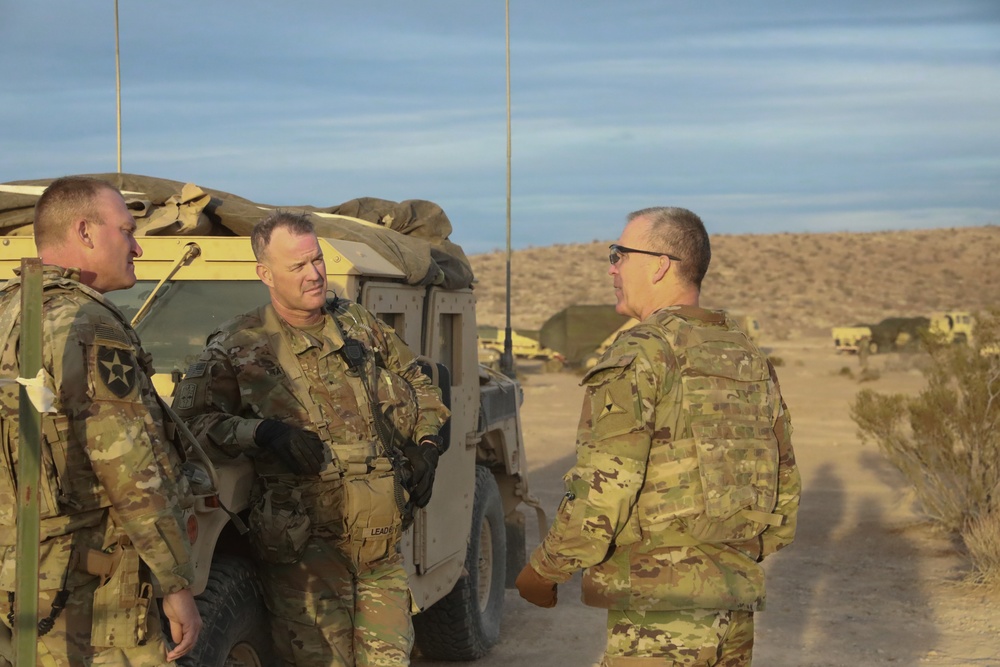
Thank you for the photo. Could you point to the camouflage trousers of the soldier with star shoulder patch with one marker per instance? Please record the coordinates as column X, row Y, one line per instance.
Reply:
column 68, row 643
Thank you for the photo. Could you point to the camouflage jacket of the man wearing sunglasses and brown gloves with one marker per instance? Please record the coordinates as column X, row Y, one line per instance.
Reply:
column 636, row 487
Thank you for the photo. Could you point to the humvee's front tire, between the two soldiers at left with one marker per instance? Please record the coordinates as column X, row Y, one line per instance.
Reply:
column 236, row 629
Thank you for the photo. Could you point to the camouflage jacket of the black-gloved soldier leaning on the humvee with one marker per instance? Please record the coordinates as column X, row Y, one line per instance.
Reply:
column 239, row 380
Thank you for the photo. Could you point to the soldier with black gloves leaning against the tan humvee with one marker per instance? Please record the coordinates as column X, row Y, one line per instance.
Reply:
column 304, row 386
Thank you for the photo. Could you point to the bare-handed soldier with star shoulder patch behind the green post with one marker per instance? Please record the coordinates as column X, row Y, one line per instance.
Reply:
column 111, row 482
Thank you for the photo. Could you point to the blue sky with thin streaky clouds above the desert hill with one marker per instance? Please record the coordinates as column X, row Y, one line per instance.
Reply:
column 762, row 117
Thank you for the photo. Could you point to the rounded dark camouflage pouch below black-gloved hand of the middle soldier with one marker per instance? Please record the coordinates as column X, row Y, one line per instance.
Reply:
column 279, row 525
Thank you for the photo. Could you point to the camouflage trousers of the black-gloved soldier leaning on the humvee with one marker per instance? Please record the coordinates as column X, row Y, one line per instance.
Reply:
column 324, row 612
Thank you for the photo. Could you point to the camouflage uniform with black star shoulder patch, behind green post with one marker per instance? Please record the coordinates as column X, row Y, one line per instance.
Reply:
column 108, row 469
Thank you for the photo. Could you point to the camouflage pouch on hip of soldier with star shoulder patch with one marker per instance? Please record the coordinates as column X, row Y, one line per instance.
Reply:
column 123, row 598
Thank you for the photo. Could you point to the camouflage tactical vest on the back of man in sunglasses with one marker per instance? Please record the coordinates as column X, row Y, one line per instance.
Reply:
column 718, row 483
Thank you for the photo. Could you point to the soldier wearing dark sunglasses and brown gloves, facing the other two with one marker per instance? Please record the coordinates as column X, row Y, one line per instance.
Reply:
column 685, row 476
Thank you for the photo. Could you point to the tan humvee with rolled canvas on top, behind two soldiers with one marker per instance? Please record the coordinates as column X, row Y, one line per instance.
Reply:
column 463, row 549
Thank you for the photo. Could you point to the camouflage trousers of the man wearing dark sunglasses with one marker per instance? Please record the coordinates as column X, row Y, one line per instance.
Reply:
column 690, row 637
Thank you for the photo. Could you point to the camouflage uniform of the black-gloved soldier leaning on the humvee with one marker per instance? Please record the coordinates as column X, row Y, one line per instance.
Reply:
column 345, row 598
